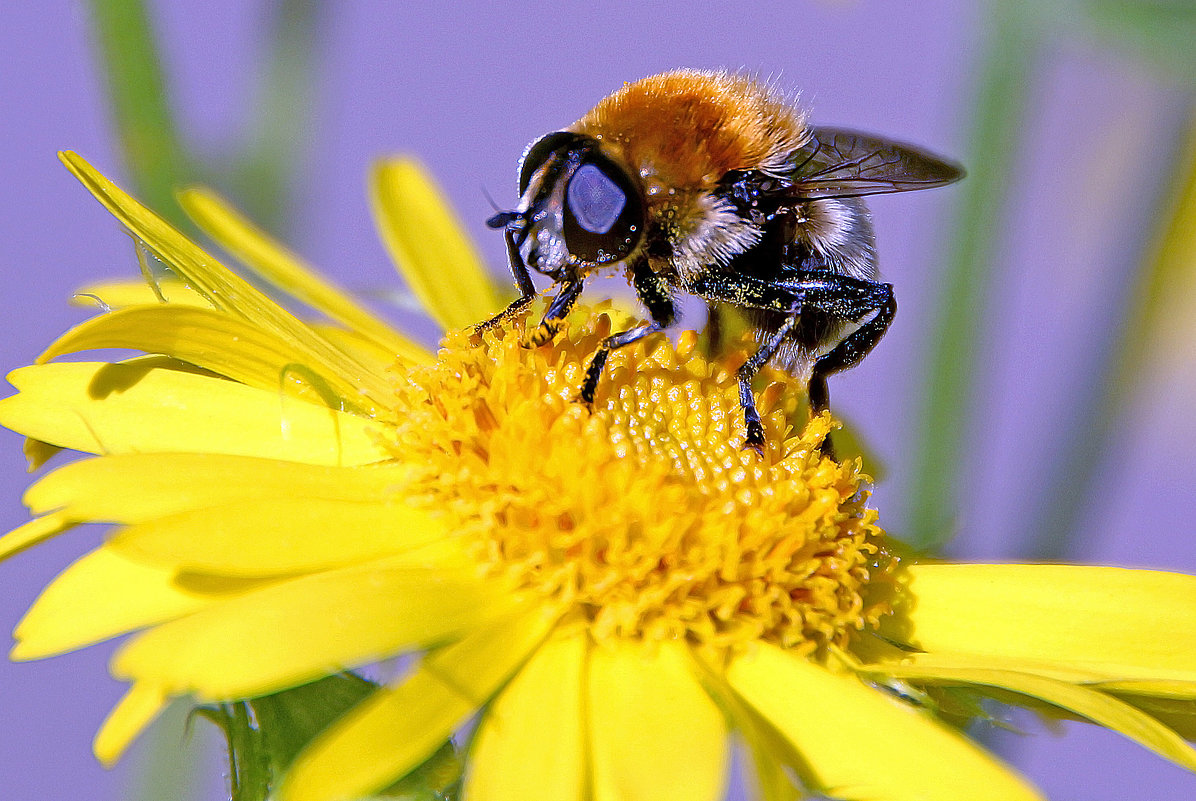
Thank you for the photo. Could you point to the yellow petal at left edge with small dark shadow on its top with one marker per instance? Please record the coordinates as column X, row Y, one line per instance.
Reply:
column 155, row 406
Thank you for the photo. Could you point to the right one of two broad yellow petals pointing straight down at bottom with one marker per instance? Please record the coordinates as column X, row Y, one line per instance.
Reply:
column 655, row 731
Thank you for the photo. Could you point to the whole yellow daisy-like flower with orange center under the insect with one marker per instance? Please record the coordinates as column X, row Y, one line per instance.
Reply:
column 614, row 596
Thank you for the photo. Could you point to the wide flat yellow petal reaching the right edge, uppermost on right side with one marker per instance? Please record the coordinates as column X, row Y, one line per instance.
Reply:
column 1073, row 623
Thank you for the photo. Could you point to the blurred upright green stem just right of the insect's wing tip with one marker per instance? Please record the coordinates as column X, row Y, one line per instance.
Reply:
column 1000, row 105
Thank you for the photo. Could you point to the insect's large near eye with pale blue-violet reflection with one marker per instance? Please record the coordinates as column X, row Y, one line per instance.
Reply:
column 603, row 213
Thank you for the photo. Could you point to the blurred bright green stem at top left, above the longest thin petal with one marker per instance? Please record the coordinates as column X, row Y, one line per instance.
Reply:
column 154, row 155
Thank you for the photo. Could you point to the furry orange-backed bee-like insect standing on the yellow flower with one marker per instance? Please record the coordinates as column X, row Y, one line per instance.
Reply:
column 711, row 185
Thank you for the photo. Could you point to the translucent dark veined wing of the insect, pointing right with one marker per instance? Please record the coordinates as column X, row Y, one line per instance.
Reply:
column 838, row 163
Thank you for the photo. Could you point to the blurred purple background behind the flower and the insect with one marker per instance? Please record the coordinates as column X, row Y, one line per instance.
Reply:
column 467, row 88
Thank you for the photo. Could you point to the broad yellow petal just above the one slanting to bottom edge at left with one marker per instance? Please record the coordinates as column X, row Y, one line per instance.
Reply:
column 307, row 628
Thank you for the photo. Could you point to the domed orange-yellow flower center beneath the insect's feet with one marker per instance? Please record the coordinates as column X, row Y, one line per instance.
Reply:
column 643, row 517
